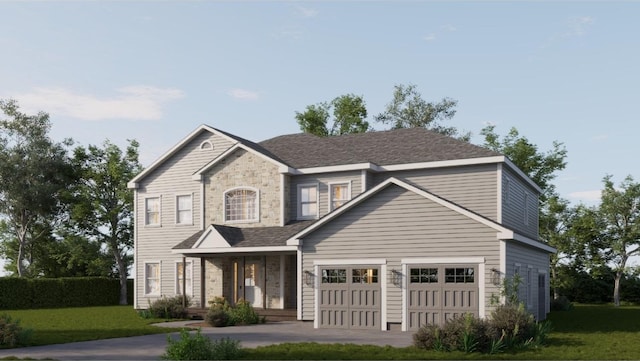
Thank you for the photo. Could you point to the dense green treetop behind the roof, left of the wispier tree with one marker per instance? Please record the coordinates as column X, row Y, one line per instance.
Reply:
column 349, row 114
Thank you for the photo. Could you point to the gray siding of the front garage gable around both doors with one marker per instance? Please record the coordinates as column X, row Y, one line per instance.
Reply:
column 396, row 224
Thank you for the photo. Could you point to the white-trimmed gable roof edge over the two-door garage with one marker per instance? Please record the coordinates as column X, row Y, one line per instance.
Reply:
column 503, row 233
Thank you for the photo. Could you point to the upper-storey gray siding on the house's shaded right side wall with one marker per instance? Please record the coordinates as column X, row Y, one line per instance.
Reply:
column 514, row 205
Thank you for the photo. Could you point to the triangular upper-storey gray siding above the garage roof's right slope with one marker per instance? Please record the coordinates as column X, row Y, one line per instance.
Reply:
column 473, row 187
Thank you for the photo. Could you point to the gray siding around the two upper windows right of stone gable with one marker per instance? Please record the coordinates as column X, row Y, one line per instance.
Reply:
column 323, row 180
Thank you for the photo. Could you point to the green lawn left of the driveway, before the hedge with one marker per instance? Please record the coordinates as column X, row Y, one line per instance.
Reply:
column 63, row 325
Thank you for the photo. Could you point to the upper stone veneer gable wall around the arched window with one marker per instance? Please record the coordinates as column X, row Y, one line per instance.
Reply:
column 244, row 169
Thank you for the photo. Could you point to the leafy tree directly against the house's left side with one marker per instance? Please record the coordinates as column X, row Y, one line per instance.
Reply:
column 104, row 206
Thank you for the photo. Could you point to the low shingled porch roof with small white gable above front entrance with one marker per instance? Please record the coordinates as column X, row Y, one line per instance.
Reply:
column 247, row 237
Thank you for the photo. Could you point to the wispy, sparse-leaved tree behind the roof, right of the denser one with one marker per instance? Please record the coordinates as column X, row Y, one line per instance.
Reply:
column 407, row 109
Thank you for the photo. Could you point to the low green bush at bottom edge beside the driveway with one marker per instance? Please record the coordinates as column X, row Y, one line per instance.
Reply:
column 199, row 347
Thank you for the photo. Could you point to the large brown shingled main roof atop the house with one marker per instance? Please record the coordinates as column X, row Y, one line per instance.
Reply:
column 399, row 146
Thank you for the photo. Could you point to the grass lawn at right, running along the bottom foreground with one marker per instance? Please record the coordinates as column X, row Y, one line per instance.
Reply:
column 587, row 332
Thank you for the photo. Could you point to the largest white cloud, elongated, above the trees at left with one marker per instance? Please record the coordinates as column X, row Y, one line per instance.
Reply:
column 138, row 102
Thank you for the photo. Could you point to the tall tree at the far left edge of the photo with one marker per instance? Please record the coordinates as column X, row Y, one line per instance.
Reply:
column 34, row 175
